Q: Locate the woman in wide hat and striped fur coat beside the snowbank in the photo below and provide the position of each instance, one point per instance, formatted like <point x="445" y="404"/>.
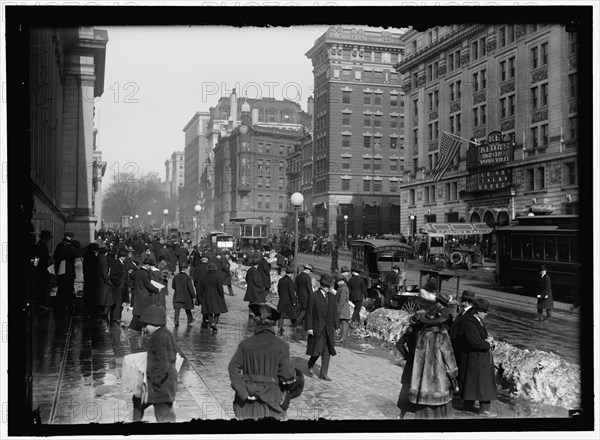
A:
<point x="429" y="376"/>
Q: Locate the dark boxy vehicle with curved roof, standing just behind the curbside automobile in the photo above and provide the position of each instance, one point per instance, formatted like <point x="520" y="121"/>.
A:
<point x="373" y="259"/>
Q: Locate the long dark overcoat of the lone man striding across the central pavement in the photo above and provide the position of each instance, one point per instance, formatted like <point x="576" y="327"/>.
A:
<point x="322" y="318"/>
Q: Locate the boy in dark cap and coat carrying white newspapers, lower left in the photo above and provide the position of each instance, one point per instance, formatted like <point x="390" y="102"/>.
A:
<point x="161" y="372"/>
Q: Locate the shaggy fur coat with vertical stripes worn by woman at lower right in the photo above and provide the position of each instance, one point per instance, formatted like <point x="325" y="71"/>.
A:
<point x="433" y="366"/>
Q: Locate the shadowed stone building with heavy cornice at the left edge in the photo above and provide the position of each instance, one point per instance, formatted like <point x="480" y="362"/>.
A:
<point x="66" y="75"/>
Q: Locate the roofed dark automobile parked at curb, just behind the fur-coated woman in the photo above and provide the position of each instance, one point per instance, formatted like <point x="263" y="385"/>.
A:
<point x="422" y="296"/>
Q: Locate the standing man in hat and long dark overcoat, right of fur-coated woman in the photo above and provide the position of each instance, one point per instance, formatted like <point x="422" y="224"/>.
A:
<point x="477" y="379"/>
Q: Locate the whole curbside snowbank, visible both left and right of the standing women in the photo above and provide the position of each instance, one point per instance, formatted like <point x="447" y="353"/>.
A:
<point x="532" y="374"/>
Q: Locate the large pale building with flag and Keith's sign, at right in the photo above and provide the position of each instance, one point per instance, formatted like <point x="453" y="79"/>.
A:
<point x="513" y="89"/>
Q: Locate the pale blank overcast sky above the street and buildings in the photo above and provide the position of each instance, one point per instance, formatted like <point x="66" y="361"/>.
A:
<point x="156" y="78"/>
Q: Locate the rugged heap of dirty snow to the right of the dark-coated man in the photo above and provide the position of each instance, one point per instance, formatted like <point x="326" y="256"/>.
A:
<point x="538" y="375"/>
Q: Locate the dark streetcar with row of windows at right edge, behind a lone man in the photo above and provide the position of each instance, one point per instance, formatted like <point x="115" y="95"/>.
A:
<point x="549" y="240"/>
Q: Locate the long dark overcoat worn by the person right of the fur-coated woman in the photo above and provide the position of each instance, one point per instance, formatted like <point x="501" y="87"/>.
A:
<point x="477" y="379"/>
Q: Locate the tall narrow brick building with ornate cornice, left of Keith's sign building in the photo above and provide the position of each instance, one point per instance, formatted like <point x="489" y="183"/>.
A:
<point x="358" y="125"/>
